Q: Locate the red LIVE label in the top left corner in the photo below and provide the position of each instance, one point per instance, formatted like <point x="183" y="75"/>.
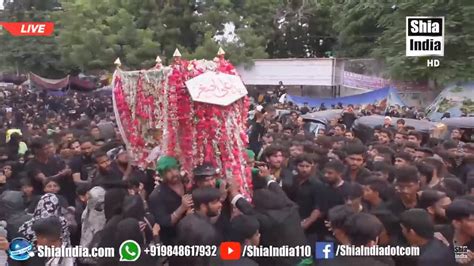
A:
<point x="29" y="28"/>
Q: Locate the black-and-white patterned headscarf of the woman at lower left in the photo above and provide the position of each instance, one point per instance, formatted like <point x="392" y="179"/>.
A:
<point x="47" y="206"/>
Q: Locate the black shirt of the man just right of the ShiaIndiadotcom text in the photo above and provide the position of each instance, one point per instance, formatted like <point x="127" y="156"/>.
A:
<point x="436" y="253"/>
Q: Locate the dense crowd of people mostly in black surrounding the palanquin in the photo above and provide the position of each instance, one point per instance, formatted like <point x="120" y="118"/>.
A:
<point x="68" y="180"/>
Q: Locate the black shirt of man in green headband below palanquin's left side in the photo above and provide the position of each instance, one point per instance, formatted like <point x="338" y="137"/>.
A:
<point x="162" y="206"/>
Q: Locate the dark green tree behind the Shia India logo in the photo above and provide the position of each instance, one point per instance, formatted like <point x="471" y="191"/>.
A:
<point x="458" y="61"/>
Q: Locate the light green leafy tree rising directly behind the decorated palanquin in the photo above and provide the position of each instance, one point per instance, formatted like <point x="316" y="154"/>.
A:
<point x="93" y="34"/>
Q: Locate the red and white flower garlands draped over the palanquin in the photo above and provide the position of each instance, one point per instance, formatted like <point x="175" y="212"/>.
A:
<point x="195" y="132"/>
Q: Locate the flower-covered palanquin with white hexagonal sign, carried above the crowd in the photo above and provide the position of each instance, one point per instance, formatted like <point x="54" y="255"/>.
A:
<point x="200" y="107"/>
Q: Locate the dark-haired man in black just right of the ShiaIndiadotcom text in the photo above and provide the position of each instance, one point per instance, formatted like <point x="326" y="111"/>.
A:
<point x="418" y="229"/>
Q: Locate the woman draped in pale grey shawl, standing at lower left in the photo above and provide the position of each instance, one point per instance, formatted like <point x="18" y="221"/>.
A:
<point x="93" y="218"/>
